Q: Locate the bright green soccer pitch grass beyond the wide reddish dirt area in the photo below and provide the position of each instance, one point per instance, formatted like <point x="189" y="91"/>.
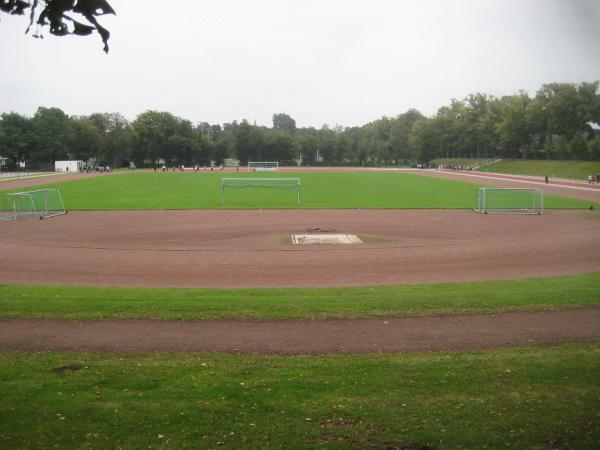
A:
<point x="319" y="190"/>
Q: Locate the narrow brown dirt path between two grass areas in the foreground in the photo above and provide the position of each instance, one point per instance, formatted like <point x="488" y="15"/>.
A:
<point x="295" y="337"/>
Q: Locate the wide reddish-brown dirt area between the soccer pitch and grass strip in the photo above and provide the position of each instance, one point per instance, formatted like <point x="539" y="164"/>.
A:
<point x="246" y="248"/>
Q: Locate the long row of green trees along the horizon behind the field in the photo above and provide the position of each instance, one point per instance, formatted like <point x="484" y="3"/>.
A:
<point x="559" y="122"/>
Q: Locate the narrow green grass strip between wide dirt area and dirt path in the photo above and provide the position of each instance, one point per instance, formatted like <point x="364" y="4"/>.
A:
<point x="274" y="303"/>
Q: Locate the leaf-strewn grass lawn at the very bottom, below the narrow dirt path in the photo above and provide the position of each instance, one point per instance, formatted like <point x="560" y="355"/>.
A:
<point x="517" y="398"/>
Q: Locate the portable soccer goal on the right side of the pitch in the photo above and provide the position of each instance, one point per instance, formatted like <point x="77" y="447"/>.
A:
<point x="510" y="201"/>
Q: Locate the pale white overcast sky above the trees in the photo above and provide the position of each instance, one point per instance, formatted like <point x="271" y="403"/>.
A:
<point x="344" y="62"/>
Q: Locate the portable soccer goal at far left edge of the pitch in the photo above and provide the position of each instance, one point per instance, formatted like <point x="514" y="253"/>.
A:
<point x="42" y="203"/>
